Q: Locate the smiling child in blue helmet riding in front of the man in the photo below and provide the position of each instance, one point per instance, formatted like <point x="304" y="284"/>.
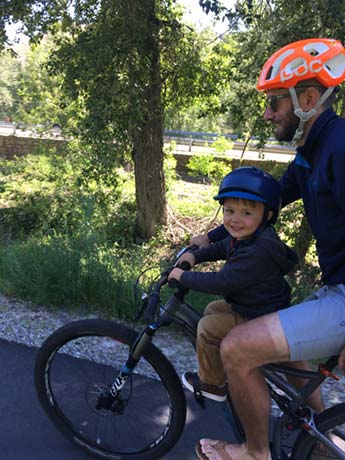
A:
<point x="251" y="281"/>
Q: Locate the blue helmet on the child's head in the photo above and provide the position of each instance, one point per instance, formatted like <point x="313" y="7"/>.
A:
<point x="252" y="183"/>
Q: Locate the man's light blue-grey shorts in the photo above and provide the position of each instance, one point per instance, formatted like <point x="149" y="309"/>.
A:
<point x="315" y="328"/>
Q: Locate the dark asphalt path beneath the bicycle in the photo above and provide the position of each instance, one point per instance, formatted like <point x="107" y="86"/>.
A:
<point x="27" y="434"/>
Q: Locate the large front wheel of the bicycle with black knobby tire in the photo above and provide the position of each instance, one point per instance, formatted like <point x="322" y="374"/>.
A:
<point x="67" y="378"/>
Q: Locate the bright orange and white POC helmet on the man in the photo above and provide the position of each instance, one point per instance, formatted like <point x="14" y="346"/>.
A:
<point x="319" y="58"/>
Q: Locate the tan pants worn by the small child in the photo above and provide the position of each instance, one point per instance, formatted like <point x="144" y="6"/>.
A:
<point x="217" y="321"/>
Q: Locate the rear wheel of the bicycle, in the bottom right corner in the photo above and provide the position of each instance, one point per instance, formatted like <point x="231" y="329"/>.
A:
<point x="307" y="447"/>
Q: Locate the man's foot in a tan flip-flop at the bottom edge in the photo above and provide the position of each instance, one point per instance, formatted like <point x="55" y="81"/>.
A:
<point x="210" y="449"/>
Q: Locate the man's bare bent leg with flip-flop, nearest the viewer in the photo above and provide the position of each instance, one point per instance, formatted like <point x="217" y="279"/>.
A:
<point x="244" y="350"/>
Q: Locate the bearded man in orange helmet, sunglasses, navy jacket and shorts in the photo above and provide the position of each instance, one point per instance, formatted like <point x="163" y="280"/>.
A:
<point x="300" y="82"/>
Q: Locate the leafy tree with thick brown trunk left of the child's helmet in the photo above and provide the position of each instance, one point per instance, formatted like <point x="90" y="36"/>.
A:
<point x="120" y="63"/>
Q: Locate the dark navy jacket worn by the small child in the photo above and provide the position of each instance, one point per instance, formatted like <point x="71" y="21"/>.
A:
<point x="252" y="279"/>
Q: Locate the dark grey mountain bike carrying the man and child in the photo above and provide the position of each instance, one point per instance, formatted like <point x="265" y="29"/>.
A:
<point x="110" y="390"/>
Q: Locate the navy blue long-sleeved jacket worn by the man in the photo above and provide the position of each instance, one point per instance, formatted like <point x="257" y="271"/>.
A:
<point x="317" y="175"/>
